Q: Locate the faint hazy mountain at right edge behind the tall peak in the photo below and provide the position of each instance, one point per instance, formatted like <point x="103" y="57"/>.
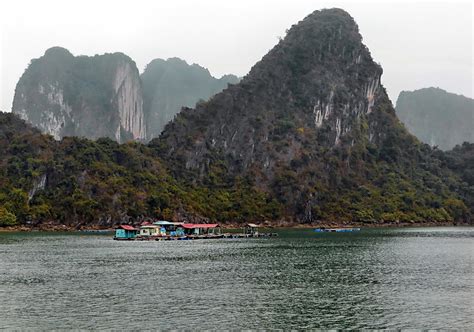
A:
<point x="437" y="117"/>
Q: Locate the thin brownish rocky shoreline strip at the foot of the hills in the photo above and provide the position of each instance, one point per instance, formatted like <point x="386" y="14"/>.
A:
<point x="232" y="226"/>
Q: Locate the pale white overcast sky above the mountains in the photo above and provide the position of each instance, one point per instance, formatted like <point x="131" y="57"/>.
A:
<point x="418" y="43"/>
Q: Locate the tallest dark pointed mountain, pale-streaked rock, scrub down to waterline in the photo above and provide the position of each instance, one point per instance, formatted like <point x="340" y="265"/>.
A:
<point x="312" y="126"/>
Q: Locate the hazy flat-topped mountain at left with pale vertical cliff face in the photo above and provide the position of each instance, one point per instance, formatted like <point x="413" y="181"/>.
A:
<point x="93" y="97"/>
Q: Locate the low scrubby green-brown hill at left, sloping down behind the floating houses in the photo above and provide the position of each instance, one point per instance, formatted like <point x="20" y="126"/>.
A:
<point x="104" y="183"/>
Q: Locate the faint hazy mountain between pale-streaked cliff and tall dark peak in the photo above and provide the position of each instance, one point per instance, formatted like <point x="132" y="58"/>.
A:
<point x="171" y="84"/>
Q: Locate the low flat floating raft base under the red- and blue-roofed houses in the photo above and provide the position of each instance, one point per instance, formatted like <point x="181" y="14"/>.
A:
<point x="197" y="237"/>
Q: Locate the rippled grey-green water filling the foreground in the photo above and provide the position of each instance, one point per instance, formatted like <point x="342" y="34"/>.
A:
<point x="384" y="278"/>
